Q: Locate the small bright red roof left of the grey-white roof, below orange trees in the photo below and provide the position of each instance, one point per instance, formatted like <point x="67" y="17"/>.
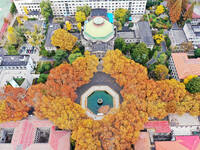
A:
<point x="159" y="126"/>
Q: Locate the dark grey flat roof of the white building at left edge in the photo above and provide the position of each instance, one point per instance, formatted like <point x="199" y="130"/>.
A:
<point x="14" y="60"/>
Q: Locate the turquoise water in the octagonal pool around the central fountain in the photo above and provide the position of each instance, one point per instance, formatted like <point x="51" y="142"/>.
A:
<point x="92" y="100"/>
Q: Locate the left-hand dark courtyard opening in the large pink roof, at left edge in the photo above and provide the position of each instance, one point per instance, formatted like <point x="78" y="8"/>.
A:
<point x="6" y="135"/>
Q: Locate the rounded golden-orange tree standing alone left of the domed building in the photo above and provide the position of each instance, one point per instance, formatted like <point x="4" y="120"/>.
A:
<point x="63" y="39"/>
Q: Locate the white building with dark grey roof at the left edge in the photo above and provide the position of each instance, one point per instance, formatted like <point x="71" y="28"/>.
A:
<point x="16" y="66"/>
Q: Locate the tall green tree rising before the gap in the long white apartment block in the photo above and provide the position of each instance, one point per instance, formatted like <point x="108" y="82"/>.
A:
<point x="46" y="10"/>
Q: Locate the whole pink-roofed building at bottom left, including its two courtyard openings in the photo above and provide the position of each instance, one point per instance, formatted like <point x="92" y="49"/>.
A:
<point x="33" y="134"/>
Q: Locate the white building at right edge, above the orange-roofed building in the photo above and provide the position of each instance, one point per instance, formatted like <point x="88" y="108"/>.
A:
<point x="192" y="32"/>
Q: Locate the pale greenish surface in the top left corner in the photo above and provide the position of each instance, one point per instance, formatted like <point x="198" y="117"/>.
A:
<point x="4" y="10"/>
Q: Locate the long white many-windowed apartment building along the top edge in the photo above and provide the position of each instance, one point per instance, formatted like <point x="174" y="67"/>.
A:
<point x="68" y="7"/>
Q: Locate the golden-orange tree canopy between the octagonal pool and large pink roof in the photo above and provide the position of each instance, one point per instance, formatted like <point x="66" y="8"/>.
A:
<point x="63" y="112"/>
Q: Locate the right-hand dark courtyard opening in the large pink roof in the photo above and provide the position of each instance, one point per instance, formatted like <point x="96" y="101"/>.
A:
<point x="42" y="135"/>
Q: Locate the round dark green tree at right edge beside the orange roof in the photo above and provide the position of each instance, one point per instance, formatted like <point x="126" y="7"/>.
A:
<point x="193" y="86"/>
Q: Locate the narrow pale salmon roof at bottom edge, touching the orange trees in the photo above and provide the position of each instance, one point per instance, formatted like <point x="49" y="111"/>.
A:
<point x="143" y="142"/>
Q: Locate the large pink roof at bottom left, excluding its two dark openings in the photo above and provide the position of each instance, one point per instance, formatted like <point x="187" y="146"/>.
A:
<point x="25" y="131"/>
